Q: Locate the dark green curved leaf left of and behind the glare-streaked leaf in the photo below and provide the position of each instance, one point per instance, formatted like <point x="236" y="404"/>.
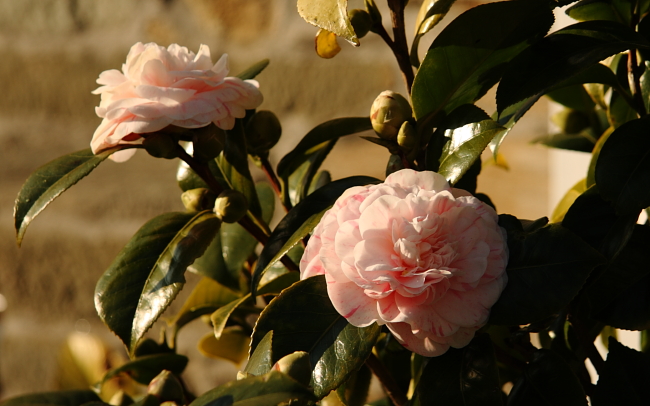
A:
<point x="118" y="291"/>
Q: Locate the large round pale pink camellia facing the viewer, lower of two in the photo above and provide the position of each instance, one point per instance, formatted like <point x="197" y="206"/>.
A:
<point x="415" y="254"/>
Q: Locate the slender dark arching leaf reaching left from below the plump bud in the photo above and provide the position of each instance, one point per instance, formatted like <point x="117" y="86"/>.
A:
<point x="320" y="134"/>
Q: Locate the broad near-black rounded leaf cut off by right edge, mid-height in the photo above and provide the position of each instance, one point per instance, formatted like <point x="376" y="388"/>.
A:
<point x="623" y="167"/>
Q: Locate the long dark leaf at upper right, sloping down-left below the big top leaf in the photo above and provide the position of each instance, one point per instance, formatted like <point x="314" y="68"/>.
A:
<point x="561" y="55"/>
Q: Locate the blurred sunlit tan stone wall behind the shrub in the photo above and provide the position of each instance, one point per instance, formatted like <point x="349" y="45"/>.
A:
<point x="52" y="52"/>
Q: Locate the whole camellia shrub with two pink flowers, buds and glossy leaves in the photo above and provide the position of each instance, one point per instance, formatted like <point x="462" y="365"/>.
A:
<point x="414" y="279"/>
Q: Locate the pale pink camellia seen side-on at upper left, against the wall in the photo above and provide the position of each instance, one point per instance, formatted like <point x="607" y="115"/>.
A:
<point x="167" y="86"/>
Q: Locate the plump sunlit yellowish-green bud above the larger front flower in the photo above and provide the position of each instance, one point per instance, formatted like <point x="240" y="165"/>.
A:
<point x="388" y="112"/>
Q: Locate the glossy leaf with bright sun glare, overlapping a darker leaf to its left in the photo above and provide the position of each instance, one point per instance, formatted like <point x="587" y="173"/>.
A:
<point x="167" y="277"/>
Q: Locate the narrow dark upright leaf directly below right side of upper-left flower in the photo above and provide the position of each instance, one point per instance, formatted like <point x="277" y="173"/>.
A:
<point x="234" y="165"/>
